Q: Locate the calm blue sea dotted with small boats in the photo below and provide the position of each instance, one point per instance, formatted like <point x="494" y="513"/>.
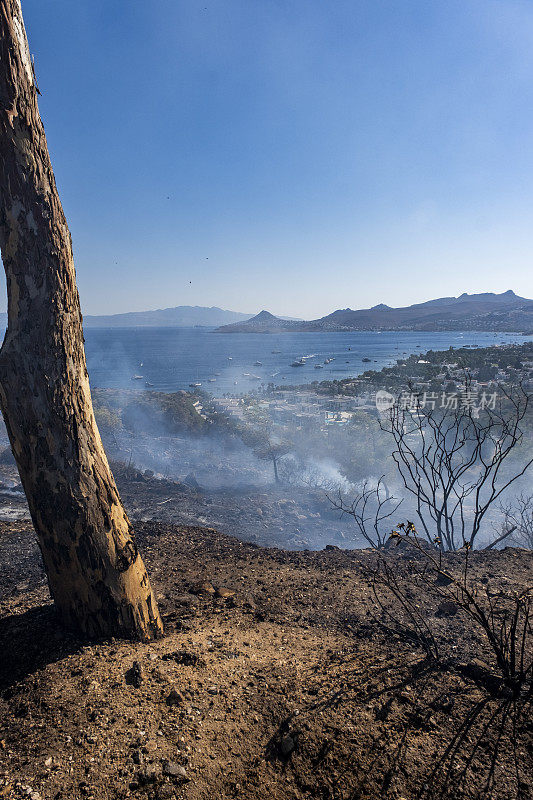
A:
<point x="170" y="359"/>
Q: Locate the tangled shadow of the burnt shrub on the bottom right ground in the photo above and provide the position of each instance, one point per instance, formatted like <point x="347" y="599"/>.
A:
<point x="482" y="740"/>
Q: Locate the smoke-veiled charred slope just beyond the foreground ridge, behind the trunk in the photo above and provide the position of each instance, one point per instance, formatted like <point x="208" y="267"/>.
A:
<point x="283" y="516"/>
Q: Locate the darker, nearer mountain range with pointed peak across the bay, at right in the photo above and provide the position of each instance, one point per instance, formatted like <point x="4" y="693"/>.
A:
<point x="483" y="312"/>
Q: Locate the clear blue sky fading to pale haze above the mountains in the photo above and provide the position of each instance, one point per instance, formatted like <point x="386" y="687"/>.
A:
<point x="294" y="155"/>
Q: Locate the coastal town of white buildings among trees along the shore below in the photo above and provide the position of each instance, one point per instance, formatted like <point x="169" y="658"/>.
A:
<point x="431" y="380"/>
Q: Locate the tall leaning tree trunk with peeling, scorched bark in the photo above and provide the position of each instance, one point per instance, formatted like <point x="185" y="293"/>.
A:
<point x="96" y="576"/>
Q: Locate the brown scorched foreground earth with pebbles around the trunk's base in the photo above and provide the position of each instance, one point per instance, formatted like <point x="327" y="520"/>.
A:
<point x="278" y="677"/>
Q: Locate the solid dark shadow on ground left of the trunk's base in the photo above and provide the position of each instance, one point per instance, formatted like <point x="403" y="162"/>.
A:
<point x="31" y="640"/>
